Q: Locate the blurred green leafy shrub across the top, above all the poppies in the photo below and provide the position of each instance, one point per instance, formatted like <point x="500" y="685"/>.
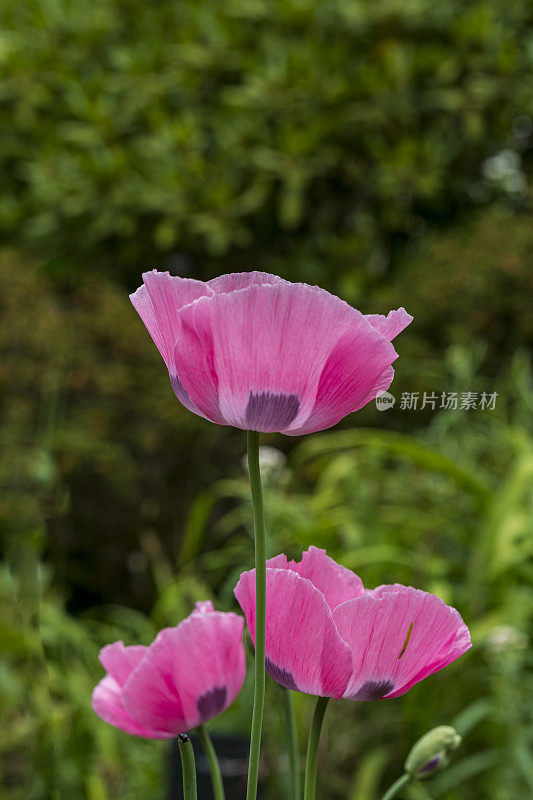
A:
<point x="325" y="131"/>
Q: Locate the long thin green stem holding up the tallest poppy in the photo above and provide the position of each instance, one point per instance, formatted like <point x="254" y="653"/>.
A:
<point x="260" y="614"/>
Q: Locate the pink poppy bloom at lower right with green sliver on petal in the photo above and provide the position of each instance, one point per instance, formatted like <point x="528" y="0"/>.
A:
<point x="326" y="635"/>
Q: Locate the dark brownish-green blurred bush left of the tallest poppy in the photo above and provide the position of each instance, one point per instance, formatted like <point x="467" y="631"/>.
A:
<point x="93" y="439"/>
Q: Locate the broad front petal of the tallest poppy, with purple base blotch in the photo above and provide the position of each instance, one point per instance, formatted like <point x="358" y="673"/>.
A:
<point x="249" y="355"/>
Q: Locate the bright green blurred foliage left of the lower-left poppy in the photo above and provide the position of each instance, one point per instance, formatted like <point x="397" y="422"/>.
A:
<point x="50" y="745"/>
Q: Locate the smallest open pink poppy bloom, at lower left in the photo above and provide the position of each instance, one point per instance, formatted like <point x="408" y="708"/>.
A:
<point x="187" y="676"/>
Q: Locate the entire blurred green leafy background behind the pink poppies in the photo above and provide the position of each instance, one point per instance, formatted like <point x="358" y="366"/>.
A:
<point x="379" y="149"/>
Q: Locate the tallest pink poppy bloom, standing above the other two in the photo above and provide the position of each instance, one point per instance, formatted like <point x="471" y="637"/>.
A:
<point x="259" y="353"/>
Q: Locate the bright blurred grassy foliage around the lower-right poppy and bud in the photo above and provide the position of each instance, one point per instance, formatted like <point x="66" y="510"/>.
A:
<point x="449" y="510"/>
